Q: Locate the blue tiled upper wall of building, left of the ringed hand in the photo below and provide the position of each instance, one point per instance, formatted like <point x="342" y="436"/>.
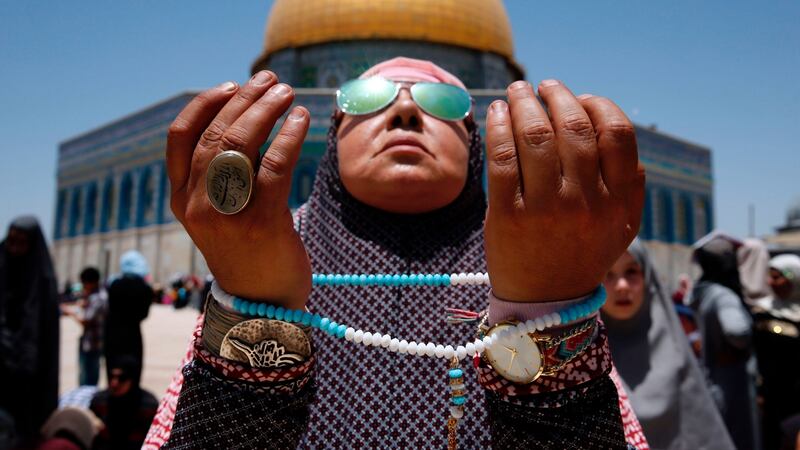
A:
<point x="114" y="178"/>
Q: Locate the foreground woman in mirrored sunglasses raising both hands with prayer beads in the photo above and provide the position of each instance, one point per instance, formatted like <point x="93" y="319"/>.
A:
<point x="399" y="191"/>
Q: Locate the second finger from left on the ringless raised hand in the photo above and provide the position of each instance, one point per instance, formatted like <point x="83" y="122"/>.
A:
<point x="539" y="162"/>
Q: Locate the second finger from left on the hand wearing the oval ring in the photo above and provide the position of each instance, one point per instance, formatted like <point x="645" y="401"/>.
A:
<point x="211" y="141"/>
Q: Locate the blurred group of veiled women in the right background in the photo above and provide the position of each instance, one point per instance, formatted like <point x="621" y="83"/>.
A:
<point x="709" y="362"/>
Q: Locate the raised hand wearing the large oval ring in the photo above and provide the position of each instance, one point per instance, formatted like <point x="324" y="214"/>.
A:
<point x="255" y="253"/>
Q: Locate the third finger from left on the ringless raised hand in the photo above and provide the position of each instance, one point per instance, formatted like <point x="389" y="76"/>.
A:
<point x="577" y="147"/>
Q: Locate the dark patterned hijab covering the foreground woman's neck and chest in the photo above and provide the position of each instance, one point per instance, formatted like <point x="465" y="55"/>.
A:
<point x="368" y="398"/>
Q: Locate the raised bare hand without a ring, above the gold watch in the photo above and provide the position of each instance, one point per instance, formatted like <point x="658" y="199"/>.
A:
<point x="566" y="191"/>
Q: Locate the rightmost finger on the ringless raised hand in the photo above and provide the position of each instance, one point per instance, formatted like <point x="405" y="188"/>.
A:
<point x="616" y="142"/>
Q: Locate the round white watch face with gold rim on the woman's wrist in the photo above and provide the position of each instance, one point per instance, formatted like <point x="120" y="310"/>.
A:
<point x="515" y="355"/>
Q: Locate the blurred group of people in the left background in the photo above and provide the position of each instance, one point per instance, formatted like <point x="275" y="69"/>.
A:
<point x="110" y="312"/>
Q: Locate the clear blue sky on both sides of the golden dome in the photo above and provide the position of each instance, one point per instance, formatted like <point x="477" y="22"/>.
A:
<point x="723" y="74"/>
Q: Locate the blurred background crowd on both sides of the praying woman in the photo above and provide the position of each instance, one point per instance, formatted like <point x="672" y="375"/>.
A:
<point x="712" y="358"/>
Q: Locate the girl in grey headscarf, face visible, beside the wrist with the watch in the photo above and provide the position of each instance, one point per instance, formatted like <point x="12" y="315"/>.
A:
<point x="667" y="389"/>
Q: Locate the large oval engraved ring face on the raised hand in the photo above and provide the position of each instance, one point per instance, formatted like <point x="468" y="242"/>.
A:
<point x="229" y="182"/>
